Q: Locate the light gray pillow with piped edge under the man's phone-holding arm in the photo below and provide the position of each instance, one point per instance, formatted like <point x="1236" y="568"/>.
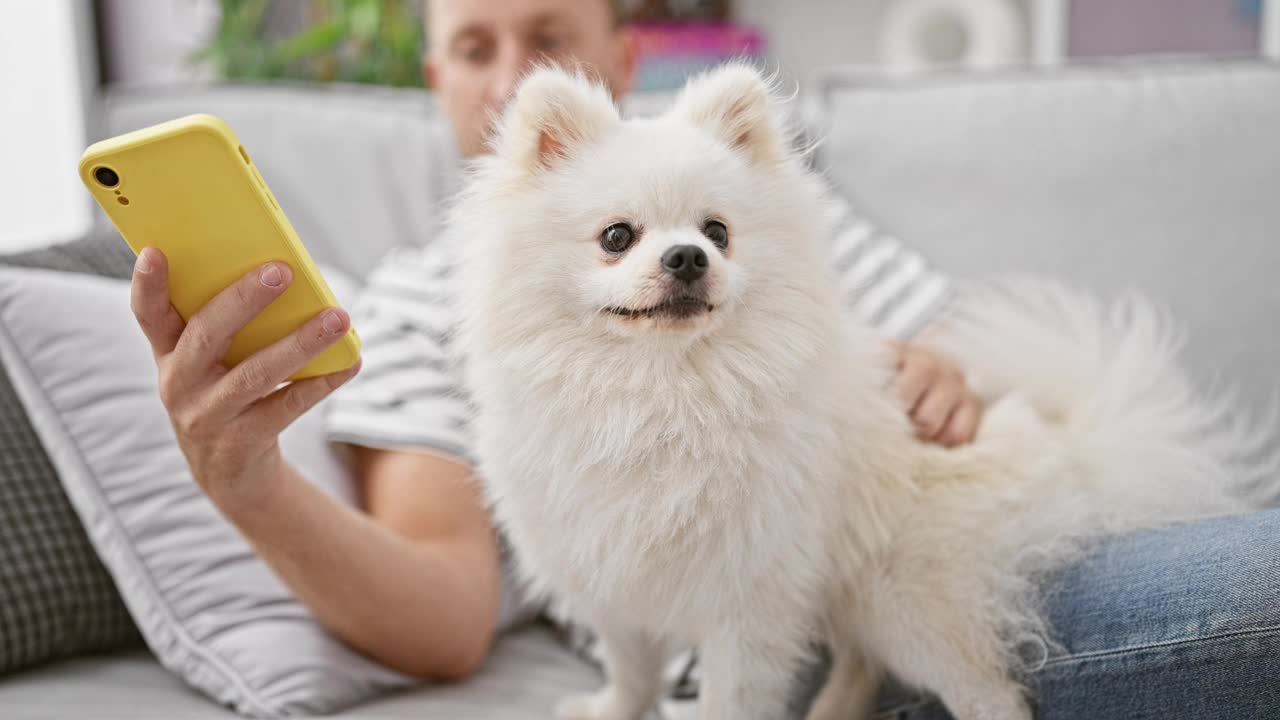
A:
<point x="208" y="607"/>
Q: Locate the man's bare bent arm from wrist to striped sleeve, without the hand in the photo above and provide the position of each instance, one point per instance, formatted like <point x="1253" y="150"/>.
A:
<point x="414" y="585"/>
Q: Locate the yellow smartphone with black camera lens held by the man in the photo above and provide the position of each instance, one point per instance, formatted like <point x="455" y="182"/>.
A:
<point x="190" y="189"/>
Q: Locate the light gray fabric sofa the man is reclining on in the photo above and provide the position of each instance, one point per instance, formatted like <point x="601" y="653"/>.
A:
<point x="1162" y="176"/>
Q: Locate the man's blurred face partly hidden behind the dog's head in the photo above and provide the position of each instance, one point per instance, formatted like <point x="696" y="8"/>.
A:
<point x="479" y="49"/>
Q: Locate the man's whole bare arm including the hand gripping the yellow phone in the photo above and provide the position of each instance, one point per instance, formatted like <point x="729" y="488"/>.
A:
<point x="415" y="584"/>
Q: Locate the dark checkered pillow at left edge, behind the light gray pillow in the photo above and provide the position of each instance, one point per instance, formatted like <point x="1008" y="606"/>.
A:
<point x="57" y="599"/>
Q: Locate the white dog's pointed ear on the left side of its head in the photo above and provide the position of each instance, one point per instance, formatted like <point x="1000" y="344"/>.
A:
<point x="552" y="115"/>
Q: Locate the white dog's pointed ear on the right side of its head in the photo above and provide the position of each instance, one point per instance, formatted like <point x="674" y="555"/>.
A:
<point x="735" y="104"/>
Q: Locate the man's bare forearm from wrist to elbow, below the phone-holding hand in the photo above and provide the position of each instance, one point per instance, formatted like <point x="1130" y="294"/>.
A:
<point x="426" y="608"/>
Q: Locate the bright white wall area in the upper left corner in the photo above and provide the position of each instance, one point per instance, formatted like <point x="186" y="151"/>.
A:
<point x="43" y="124"/>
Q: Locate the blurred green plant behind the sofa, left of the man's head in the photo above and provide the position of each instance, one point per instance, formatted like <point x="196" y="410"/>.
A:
<point x="369" y="42"/>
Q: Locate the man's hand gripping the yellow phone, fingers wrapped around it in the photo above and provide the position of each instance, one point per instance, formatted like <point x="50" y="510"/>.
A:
<point x="227" y="421"/>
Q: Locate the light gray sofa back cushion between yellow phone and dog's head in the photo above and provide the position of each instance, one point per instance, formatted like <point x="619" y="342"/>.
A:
<point x="358" y="170"/>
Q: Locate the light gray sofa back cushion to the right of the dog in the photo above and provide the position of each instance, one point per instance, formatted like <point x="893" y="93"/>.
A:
<point x="1156" y="176"/>
